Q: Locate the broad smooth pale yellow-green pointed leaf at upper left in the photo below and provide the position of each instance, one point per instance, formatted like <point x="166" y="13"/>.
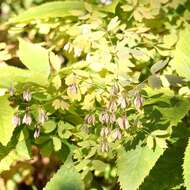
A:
<point x="34" y="57"/>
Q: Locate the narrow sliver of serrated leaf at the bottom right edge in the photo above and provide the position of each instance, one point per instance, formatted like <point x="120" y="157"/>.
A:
<point x="186" y="166"/>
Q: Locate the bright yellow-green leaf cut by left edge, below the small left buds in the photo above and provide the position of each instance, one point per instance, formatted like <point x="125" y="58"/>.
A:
<point x="6" y="114"/>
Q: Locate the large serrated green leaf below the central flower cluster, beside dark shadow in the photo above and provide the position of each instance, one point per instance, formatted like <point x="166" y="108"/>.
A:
<point x="134" y="165"/>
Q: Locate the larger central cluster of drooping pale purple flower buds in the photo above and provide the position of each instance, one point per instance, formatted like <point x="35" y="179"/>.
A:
<point x="113" y="119"/>
